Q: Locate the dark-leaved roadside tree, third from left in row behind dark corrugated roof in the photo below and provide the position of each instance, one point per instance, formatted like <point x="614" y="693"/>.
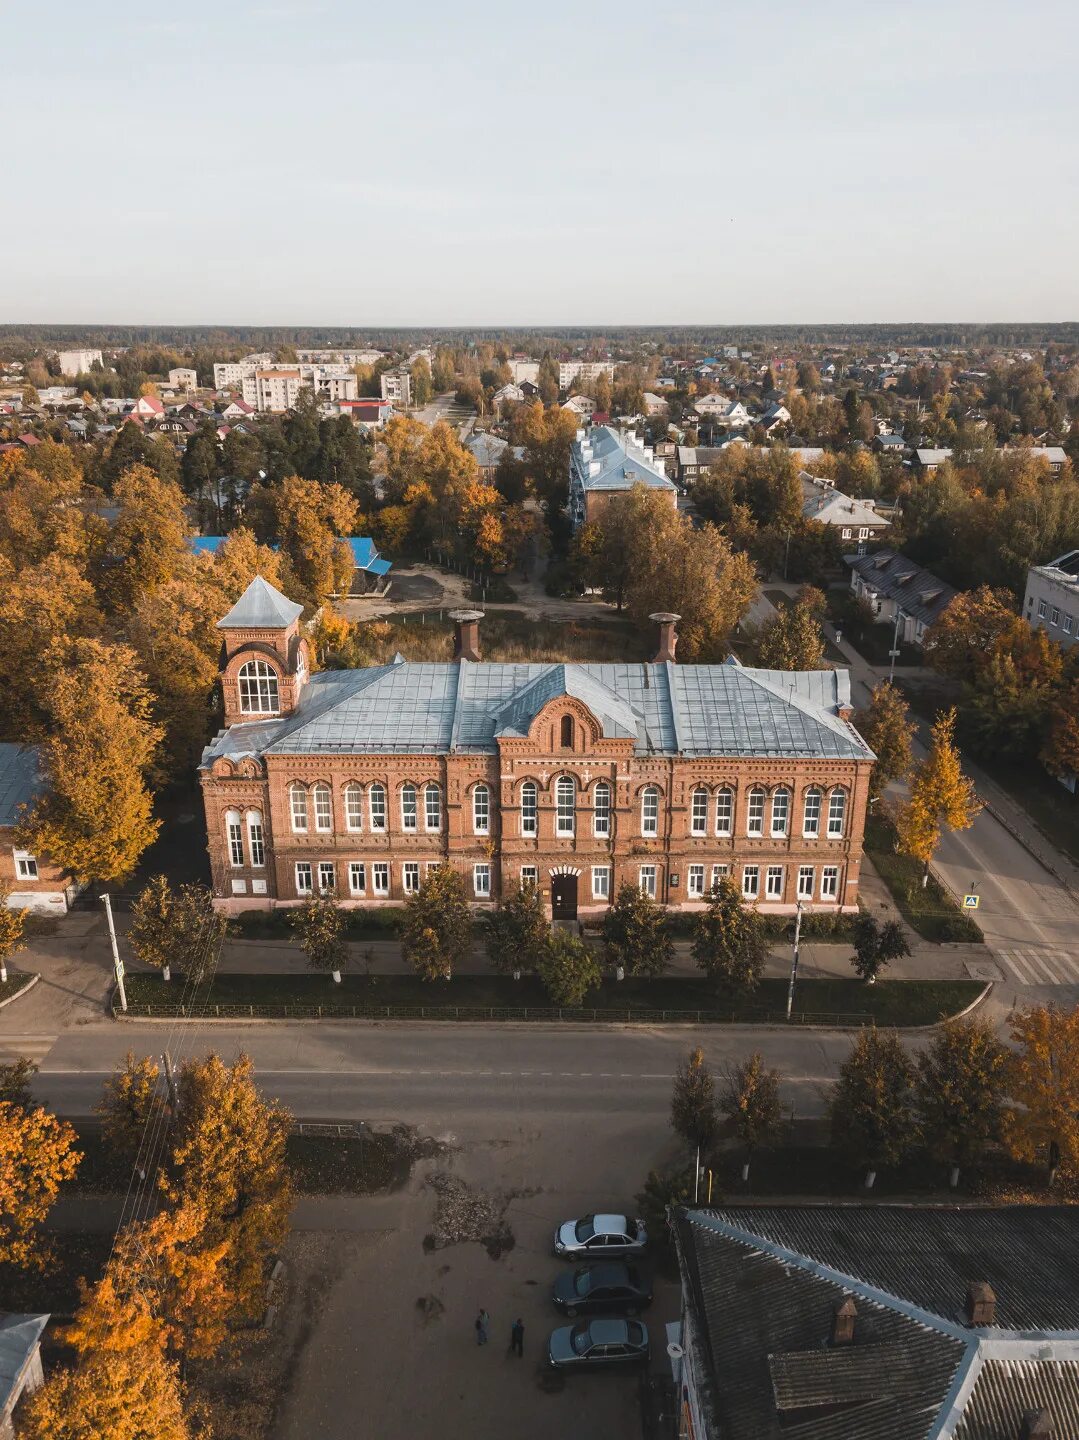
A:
<point x="874" y="1120"/>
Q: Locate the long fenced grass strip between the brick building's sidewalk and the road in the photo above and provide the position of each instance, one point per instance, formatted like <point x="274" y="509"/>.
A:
<point x="475" y="997"/>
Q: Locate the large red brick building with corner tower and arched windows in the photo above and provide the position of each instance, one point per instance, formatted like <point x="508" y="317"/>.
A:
<point x="578" y="778"/>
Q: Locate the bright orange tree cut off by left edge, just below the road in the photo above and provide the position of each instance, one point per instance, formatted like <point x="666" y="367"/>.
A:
<point x="37" y="1157"/>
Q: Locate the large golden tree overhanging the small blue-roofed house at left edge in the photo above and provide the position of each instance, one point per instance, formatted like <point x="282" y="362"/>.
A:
<point x="96" y="817"/>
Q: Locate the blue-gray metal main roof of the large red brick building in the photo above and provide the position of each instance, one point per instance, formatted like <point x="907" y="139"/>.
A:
<point x="444" y="708"/>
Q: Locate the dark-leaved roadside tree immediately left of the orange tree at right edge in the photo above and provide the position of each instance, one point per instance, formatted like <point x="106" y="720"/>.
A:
<point x="960" y="1088"/>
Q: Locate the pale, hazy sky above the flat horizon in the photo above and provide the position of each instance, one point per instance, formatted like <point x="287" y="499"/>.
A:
<point x="599" y="163"/>
